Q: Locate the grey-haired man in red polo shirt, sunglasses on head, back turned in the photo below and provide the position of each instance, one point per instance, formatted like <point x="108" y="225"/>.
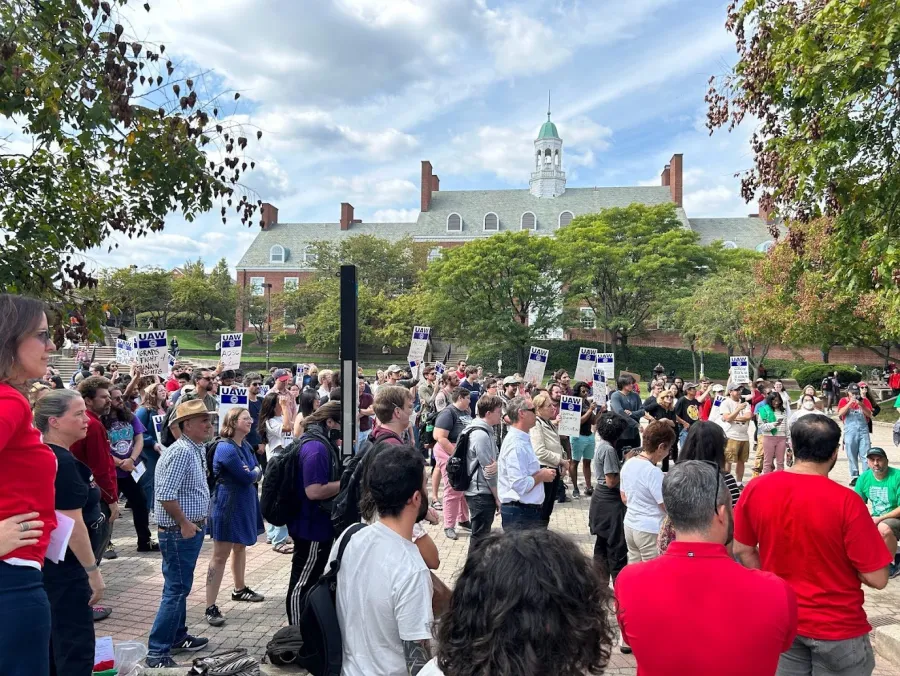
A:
<point x="683" y="589"/>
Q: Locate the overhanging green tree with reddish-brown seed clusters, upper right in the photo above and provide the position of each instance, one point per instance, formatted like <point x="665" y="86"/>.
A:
<point x="821" y="79"/>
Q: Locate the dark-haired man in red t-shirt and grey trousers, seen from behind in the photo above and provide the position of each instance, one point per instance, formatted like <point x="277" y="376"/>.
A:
<point x="818" y="536"/>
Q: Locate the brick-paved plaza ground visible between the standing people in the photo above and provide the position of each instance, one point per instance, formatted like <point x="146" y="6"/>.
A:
<point x="134" y="584"/>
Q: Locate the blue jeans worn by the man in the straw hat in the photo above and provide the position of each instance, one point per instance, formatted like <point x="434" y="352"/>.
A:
<point x="179" y="560"/>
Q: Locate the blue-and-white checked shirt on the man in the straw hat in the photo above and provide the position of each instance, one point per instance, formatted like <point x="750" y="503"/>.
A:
<point x="181" y="476"/>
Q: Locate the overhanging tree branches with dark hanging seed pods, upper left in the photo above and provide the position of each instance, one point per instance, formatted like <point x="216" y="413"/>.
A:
<point x="110" y="139"/>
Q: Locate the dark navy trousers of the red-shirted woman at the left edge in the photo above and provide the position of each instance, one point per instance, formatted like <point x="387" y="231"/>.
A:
<point x="24" y="622"/>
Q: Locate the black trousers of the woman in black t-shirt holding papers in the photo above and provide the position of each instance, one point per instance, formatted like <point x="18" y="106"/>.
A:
<point x="72" y="627"/>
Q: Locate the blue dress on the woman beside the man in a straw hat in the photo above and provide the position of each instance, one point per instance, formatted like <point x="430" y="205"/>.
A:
<point x="234" y="514"/>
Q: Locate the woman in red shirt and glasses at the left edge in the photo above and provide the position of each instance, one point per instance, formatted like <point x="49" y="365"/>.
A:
<point x="26" y="485"/>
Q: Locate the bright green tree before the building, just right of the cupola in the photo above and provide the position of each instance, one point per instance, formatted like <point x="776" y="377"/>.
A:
<point x="628" y="264"/>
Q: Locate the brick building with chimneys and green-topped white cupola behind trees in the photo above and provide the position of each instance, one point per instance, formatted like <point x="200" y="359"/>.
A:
<point x="283" y="254"/>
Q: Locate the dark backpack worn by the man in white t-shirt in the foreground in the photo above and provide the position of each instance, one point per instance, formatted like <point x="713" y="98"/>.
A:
<point x="319" y="626"/>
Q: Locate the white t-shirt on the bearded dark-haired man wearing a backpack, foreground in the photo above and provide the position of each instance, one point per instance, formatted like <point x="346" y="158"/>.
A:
<point x="383" y="598"/>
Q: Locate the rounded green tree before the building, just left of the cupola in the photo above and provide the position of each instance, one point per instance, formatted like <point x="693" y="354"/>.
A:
<point x="502" y="290"/>
